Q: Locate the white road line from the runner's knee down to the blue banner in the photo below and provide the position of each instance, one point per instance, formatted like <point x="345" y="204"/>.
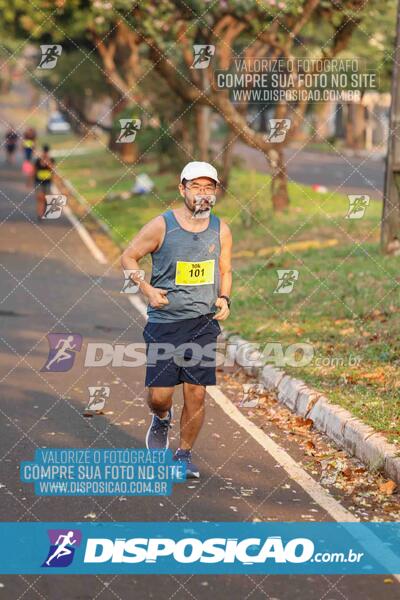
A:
<point x="294" y="470"/>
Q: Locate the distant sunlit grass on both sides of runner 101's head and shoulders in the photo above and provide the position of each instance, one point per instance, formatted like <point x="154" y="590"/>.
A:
<point x="246" y="206"/>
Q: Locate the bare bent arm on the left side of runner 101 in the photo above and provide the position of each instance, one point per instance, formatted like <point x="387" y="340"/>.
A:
<point x="146" y="241"/>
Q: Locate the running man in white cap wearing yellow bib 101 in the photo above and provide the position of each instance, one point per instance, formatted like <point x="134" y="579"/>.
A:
<point x="187" y="295"/>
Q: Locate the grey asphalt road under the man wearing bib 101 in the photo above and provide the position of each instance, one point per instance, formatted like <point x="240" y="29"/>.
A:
<point x="51" y="283"/>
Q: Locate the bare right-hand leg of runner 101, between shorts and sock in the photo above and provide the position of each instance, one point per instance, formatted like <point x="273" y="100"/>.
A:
<point x="192" y="414"/>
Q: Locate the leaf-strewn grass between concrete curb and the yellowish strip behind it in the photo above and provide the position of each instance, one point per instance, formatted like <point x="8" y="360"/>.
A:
<point x="345" y="305"/>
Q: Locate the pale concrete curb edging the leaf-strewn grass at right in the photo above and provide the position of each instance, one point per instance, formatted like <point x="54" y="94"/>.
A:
<point x="338" y="424"/>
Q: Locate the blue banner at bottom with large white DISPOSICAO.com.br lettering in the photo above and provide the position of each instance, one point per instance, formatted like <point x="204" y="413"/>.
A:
<point x="200" y="548"/>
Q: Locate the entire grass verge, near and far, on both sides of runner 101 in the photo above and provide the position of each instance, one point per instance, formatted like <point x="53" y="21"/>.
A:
<point x="345" y="302"/>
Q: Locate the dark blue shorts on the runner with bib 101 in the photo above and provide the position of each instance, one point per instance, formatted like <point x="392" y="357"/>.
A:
<point x="182" y="351"/>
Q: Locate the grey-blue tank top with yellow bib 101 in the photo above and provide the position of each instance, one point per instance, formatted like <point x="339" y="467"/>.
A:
<point x="187" y="266"/>
